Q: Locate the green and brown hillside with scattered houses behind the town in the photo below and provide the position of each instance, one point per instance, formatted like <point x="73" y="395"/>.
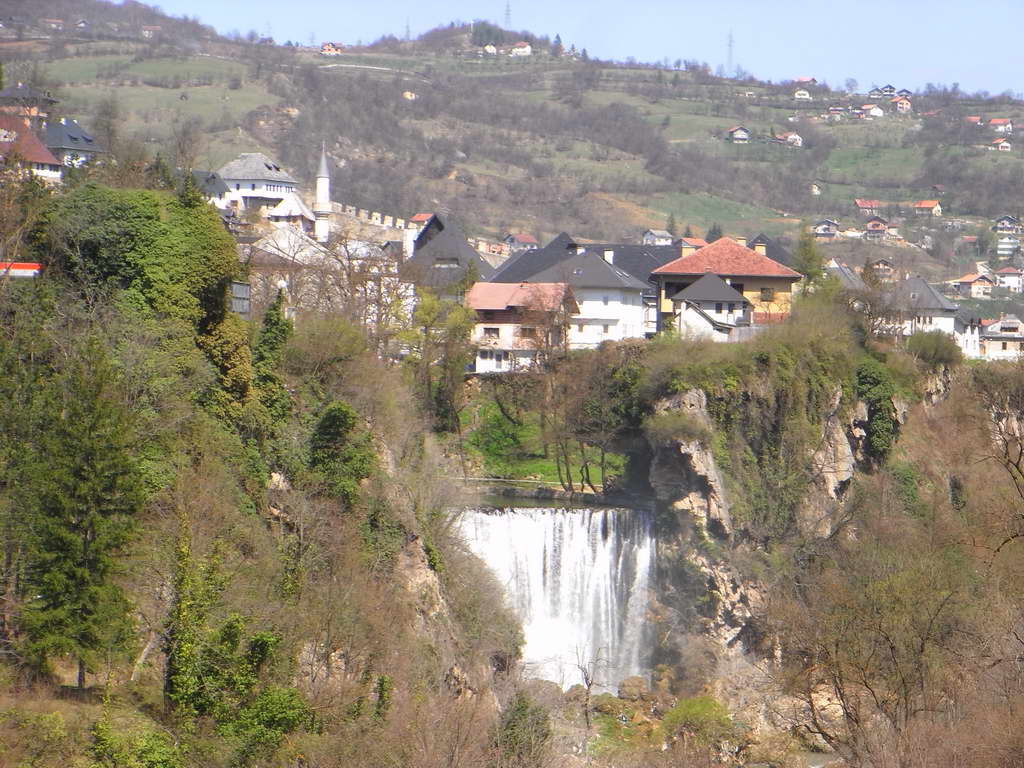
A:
<point x="543" y="144"/>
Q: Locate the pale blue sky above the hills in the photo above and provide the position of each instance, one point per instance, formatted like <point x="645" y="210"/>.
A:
<point x="908" y="44"/>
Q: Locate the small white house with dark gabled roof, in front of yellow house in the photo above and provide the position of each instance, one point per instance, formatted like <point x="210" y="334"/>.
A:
<point x="710" y="309"/>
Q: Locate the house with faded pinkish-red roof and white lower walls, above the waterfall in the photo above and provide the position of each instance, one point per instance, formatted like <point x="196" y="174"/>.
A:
<point x="519" y="323"/>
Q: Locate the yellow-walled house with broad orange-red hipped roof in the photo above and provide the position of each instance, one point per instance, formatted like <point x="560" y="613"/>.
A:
<point x="766" y="284"/>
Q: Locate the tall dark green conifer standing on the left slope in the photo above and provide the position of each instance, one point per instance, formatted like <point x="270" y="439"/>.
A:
<point x="89" y="492"/>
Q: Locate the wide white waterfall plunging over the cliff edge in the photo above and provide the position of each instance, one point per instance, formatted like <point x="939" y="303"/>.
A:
<point x="578" y="580"/>
